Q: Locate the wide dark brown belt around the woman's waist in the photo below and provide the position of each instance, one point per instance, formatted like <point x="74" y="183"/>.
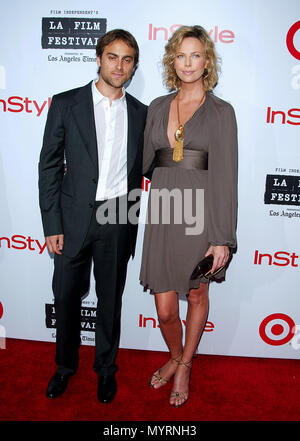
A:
<point x="192" y="159"/>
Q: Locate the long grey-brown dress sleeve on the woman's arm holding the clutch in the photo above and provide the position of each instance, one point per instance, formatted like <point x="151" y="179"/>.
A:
<point x="222" y="179"/>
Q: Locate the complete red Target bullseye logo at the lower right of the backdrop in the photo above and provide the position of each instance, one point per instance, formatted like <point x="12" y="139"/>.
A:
<point x="277" y="329"/>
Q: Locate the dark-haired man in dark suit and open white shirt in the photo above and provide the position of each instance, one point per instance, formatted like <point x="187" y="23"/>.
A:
<point x="92" y="155"/>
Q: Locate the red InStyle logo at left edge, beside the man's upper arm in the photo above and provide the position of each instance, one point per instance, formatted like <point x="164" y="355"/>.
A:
<point x="17" y="104"/>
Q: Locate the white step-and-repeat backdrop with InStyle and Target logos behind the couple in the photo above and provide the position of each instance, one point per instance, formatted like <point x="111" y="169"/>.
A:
<point x="48" y="47"/>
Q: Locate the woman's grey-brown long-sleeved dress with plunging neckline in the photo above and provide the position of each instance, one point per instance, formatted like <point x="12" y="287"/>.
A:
<point x="169" y="253"/>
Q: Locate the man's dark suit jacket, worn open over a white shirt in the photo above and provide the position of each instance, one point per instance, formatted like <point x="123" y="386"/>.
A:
<point x="67" y="199"/>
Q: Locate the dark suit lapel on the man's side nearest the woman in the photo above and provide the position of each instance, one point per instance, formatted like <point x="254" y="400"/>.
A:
<point x="132" y="132"/>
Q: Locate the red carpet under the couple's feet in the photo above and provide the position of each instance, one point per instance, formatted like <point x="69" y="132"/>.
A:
<point x="223" y="388"/>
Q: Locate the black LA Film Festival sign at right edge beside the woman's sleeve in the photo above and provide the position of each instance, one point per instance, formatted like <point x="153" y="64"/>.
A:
<point x="282" y="190"/>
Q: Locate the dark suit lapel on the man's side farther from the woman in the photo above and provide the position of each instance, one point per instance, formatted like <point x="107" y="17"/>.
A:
<point x="83" y="111"/>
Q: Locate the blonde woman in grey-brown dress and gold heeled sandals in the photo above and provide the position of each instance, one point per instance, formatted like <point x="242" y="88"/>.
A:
<point x="191" y="143"/>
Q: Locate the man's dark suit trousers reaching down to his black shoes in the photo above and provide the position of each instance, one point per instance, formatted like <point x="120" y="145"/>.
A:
<point x="108" y="247"/>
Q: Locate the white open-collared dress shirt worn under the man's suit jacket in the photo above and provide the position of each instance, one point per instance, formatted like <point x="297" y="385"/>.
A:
<point x="111" y="131"/>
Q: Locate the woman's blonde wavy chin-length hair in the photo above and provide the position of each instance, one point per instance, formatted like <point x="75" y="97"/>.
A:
<point x="210" y="77"/>
